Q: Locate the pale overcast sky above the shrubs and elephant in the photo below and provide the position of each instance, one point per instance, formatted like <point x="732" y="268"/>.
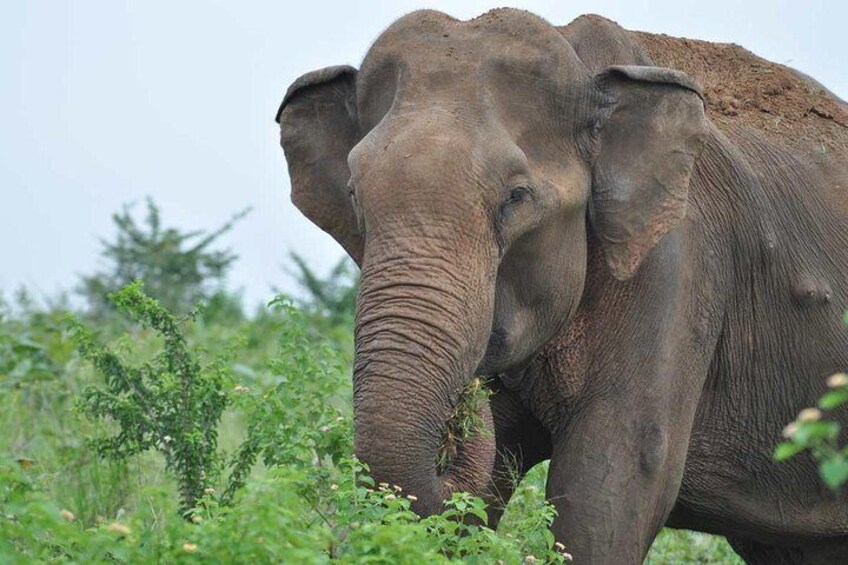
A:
<point x="104" y="102"/>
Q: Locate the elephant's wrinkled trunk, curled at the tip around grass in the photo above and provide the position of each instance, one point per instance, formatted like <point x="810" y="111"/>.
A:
<point x="419" y="337"/>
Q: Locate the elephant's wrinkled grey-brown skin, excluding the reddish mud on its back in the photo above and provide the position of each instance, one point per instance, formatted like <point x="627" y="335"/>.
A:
<point x="541" y="205"/>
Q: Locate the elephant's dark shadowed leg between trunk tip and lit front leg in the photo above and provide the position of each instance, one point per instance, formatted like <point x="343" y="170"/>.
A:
<point x="521" y="442"/>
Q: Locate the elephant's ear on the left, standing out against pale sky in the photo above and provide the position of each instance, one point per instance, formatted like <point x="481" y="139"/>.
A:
<point x="318" y="128"/>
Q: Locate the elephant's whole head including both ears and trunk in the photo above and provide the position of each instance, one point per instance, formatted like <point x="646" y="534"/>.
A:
<point x="463" y="167"/>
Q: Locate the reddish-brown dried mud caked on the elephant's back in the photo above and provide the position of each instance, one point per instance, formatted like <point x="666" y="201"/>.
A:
<point x="743" y="89"/>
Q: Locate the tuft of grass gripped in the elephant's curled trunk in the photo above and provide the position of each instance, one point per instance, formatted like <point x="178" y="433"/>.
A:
<point x="464" y="421"/>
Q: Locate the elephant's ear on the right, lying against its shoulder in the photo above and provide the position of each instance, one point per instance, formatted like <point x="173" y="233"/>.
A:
<point x="651" y="134"/>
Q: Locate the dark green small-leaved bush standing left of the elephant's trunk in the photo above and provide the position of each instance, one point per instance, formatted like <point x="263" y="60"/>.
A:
<point x="172" y="404"/>
